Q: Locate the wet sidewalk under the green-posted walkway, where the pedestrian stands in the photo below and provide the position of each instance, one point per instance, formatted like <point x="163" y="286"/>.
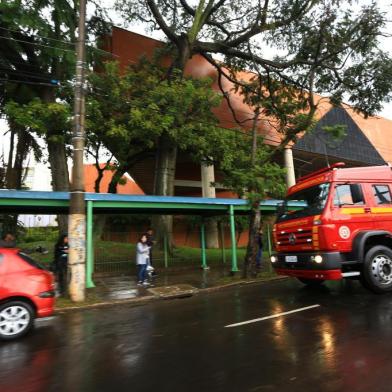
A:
<point x="168" y="284"/>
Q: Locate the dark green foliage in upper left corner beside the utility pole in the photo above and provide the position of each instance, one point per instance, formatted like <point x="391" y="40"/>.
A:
<point x="37" y="64"/>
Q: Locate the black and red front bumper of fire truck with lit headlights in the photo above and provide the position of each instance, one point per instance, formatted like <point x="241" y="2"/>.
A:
<point x="323" y="266"/>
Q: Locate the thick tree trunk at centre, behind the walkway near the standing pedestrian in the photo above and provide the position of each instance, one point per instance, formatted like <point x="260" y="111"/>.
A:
<point x="164" y="186"/>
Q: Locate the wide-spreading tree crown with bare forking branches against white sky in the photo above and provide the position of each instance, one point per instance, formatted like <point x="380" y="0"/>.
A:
<point x="328" y="47"/>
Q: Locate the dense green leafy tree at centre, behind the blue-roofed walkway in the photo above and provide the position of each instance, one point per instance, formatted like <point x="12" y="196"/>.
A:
<point x="134" y="111"/>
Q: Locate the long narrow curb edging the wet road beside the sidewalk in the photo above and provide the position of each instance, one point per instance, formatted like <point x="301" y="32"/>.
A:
<point x="149" y="298"/>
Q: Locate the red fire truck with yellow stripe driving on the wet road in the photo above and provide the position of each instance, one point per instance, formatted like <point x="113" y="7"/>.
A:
<point x="341" y="227"/>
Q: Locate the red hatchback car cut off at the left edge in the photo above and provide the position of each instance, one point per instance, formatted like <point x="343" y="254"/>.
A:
<point x="26" y="292"/>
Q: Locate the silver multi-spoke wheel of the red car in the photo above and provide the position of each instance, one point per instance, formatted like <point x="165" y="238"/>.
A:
<point x="16" y="319"/>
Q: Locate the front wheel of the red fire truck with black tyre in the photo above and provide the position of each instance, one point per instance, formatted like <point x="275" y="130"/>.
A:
<point x="377" y="269"/>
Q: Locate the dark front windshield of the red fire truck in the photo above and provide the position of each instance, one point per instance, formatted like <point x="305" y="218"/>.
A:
<point x="313" y="199"/>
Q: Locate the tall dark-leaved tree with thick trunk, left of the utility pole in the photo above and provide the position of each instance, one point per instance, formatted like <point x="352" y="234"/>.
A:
<point x="37" y="57"/>
